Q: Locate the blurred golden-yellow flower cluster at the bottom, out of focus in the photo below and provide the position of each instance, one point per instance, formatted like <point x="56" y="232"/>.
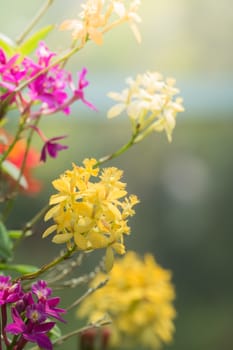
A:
<point x="138" y="298"/>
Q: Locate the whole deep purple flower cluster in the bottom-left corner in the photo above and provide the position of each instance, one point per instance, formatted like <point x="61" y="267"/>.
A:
<point x="31" y="313"/>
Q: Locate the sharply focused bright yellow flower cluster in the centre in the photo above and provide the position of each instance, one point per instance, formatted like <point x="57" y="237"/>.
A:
<point x="91" y="215"/>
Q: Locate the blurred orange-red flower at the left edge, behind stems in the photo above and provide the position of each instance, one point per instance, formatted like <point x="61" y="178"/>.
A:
<point x="11" y="166"/>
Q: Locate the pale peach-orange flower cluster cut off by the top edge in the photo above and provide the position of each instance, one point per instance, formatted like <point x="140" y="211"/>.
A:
<point x="98" y="18"/>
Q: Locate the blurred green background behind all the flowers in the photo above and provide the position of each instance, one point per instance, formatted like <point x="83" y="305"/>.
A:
<point x="186" y="189"/>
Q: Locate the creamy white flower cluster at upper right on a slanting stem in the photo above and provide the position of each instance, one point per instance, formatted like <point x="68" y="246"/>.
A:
<point x="149" y="102"/>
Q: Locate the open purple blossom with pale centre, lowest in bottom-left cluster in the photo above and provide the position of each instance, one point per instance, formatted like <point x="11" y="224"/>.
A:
<point x="32" y="330"/>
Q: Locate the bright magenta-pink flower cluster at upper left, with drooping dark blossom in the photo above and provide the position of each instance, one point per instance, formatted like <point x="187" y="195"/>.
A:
<point x="38" y="88"/>
